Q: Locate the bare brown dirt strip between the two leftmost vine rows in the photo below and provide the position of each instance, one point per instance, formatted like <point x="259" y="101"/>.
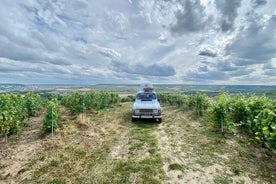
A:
<point x="21" y="149"/>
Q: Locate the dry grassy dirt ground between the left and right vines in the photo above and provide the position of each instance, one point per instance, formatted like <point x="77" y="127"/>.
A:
<point x="106" y="147"/>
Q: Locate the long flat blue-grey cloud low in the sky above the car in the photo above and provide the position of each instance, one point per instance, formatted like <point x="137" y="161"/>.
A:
<point x="142" y="69"/>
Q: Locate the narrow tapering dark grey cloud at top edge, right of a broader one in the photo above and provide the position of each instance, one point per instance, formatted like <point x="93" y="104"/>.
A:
<point x="228" y="10"/>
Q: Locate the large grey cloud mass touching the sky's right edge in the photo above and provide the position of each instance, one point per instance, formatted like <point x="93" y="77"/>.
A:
<point x="255" y="44"/>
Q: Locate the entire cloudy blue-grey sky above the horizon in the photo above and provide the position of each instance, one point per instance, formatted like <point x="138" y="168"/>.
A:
<point x="89" y="42"/>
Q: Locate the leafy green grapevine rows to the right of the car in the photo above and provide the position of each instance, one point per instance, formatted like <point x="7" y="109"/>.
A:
<point x="256" y="114"/>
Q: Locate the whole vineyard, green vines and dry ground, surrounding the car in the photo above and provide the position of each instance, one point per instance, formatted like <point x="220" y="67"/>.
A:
<point x="92" y="131"/>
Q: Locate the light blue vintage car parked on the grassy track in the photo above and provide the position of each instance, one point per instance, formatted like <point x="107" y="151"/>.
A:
<point x="146" y="105"/>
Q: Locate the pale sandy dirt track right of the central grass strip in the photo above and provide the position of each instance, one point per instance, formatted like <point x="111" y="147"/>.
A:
<point x="191" y="155"/>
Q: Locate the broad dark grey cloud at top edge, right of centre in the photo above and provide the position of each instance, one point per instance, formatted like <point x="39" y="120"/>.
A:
<point x="190" y="19"/>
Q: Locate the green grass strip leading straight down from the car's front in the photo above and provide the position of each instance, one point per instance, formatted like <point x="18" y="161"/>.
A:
<point x="144" y="164"/>
